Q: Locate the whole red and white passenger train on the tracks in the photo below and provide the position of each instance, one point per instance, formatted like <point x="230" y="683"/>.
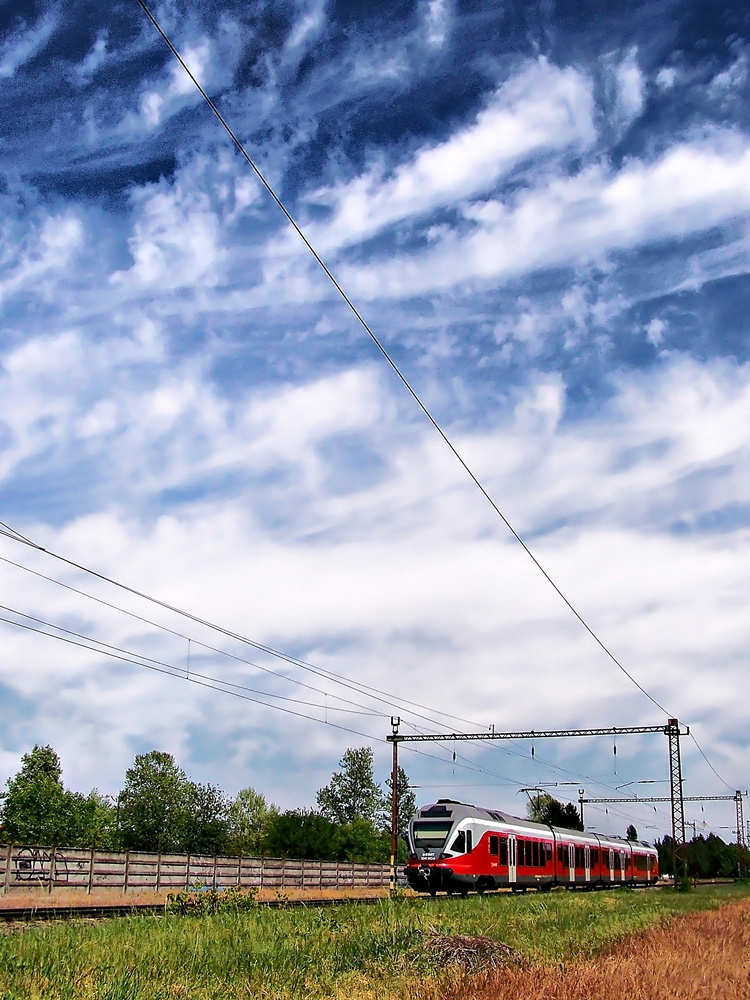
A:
<point x="459" y="848"/>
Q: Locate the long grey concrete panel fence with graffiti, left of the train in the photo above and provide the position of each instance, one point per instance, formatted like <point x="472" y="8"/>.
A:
<point x="25" y="868"/>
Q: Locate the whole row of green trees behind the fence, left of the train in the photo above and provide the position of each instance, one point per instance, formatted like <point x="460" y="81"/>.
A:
<point x="159" y="809"/>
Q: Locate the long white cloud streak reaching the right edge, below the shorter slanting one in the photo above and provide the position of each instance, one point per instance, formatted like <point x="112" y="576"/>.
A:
<point x="574" y="220"/>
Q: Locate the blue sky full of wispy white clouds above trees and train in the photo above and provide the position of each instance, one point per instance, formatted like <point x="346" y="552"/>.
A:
<point x="543" y="212"/>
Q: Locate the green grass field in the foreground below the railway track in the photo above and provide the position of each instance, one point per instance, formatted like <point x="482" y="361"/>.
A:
<point x="348" y="952"/>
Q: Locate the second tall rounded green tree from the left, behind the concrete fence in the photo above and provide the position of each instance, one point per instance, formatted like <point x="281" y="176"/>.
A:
<point x="153" y="804"/>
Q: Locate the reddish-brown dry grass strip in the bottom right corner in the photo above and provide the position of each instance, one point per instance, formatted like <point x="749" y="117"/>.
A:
<point x="701" y="956"/>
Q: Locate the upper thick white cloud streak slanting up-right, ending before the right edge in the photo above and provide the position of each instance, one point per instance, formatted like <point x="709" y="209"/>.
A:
<point x="543" y="107"/>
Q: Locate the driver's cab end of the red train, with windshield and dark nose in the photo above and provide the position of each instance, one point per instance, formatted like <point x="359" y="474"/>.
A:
<point x="438" y="848"/>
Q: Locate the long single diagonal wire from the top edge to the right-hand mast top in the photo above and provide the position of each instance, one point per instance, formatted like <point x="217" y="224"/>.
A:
<point x="397" y="371"/>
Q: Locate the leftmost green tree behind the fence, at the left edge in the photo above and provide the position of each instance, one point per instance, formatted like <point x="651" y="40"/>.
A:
<point x="36" y="808"/>
